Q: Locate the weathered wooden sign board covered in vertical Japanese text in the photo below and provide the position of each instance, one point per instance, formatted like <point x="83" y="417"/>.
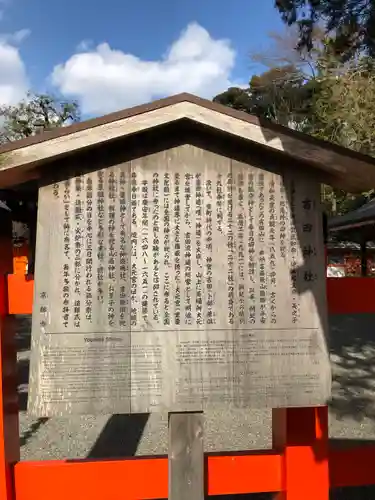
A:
<point x="179" y="281"/>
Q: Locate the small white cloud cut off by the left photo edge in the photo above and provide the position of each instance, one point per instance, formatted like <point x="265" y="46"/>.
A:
<point x="13" y="78"/>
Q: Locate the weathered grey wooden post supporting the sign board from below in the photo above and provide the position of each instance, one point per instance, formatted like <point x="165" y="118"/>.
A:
<point x="186" y="456"/>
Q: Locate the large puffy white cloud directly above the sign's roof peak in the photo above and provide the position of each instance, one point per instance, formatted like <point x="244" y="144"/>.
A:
<point x="105" y="79"/>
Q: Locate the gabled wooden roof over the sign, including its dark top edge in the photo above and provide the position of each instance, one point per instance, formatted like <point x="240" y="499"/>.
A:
<point x="347" y="169"/>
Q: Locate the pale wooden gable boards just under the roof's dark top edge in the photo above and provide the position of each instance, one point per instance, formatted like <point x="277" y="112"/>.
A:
<point x="359" y="173"/>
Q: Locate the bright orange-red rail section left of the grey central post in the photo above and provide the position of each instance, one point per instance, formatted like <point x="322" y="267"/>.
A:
<point x="101" y="480"/>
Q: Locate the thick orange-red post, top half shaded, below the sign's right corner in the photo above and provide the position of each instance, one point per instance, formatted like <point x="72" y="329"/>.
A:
<point x="301" y="436"/>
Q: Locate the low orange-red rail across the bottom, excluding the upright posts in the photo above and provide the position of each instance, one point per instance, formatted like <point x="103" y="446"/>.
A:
<point x="147" y="478"/>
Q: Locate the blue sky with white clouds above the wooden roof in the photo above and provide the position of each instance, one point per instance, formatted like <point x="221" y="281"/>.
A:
<point x="115" y="54"/>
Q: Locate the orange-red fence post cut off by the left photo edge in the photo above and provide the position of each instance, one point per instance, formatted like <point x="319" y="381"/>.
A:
<point x="9" y="434"/>
